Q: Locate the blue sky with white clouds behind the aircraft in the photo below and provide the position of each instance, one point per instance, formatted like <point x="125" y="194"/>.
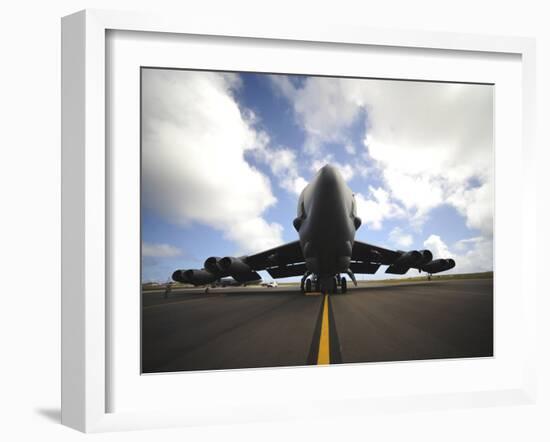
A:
<point x="225" y="156"/>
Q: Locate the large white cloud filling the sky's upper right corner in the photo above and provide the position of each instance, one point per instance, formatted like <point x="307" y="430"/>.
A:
<point x="433" y="144"/>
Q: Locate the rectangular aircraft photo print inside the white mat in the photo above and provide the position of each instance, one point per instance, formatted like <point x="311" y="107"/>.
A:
<point x="296" y="220"/>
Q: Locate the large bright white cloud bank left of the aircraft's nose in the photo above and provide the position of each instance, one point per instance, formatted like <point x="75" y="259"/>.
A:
<point x="194" y="140"/>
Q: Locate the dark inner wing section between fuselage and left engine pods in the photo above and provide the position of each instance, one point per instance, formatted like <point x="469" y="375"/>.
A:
<point x="280" y="262"/>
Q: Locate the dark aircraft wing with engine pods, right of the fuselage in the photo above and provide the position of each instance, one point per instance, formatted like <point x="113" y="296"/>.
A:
<point x="367" y="258"/>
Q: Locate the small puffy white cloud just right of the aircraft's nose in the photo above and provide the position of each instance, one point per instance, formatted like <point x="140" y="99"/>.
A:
<point x="378" y="207"/>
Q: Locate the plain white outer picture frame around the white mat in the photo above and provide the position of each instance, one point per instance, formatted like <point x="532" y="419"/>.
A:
<point x="86" y="201"/>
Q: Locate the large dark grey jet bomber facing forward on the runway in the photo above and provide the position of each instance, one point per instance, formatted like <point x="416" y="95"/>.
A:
<point x="326" y="249"/>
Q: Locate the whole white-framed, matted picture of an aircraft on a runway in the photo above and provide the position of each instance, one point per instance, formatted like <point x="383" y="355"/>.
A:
<point x="250" y="212"/>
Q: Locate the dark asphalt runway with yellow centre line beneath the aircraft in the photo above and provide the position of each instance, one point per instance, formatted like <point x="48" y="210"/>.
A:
<point x="272" y="327"/>
